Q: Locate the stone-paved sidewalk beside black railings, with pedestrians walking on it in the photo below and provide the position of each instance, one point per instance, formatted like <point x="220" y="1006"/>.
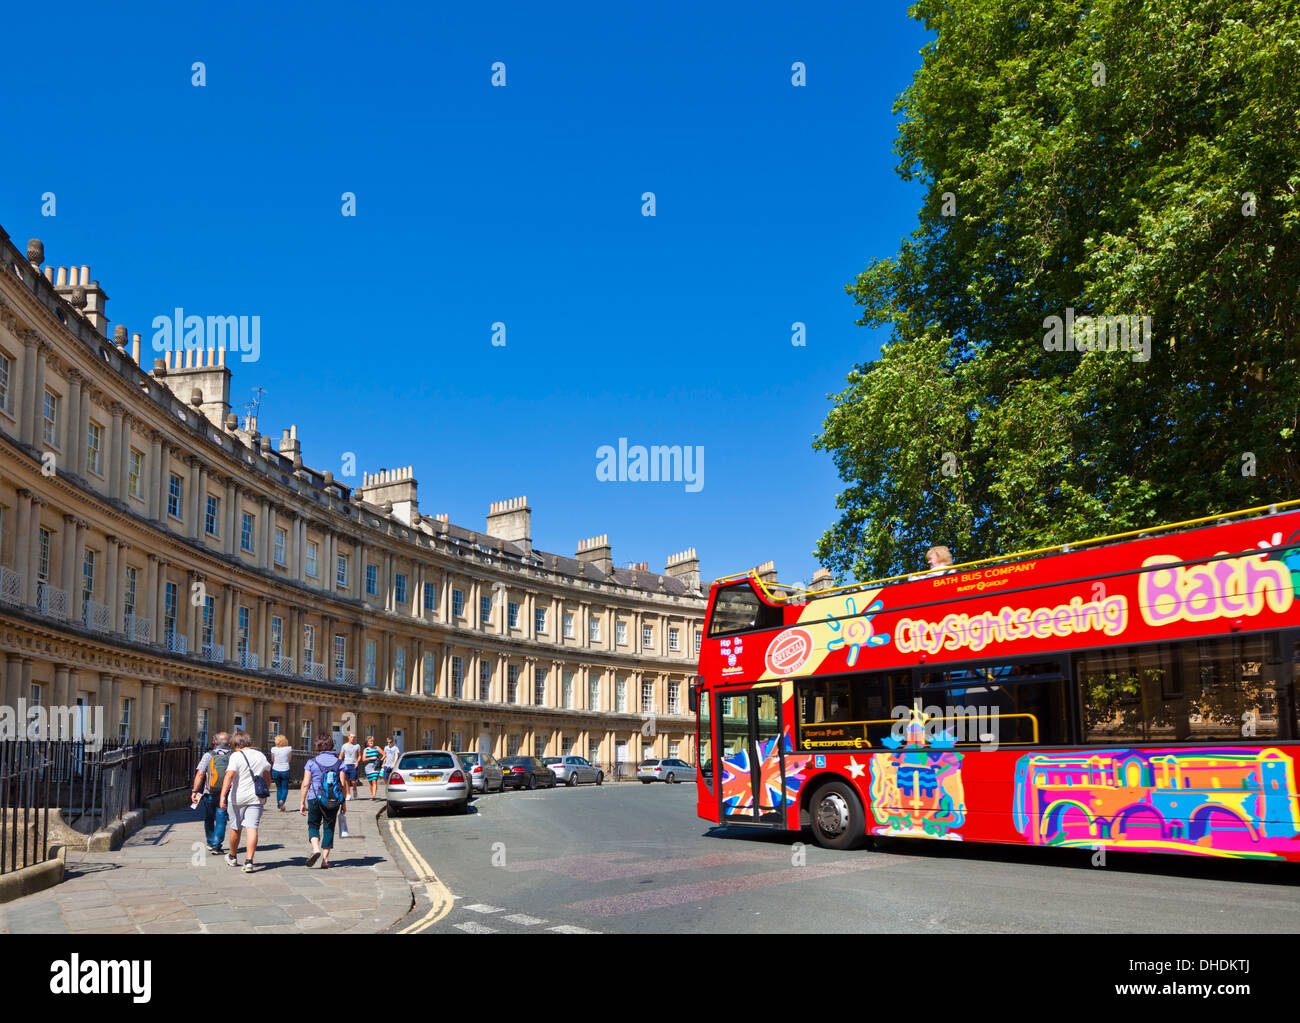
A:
<point x="159" y="883"/>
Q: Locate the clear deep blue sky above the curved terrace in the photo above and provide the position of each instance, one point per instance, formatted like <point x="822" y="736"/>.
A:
<point x="479" y="205"/>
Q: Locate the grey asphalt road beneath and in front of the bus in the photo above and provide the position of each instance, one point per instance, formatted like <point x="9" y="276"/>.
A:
<point x="636" y="860"/>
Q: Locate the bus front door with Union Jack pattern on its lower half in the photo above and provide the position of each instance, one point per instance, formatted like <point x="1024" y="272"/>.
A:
<point x="752" y="760"/>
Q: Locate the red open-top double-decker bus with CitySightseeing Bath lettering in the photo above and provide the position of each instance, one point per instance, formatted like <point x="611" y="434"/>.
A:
<point x="1128" y="693"/>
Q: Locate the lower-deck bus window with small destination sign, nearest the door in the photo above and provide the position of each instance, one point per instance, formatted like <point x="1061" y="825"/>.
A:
<point x="852" y="712"/>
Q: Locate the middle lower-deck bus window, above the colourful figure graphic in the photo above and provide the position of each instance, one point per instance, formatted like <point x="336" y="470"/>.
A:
<point x="1012" y="705"/>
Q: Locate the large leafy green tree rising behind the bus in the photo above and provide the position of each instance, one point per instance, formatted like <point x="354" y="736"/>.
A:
<point x="1125" y="158"/>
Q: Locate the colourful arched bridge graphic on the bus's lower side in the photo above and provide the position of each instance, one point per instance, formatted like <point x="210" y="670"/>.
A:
<point x="1224" y="803"/>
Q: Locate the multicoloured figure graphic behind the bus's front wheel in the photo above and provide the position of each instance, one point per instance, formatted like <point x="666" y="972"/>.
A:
<point x="917" y="788"/>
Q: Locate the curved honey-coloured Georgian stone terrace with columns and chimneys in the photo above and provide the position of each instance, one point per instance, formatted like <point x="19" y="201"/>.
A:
<point x="188" y="576"/>
